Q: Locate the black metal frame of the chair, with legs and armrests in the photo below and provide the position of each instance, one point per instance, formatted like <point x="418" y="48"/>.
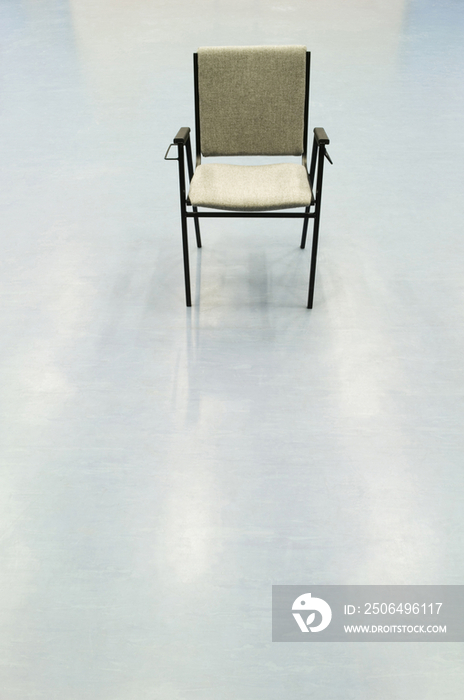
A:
<point x="318" y="155"/>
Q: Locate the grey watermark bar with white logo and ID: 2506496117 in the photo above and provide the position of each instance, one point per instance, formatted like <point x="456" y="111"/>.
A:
<point x="367" y="613"/>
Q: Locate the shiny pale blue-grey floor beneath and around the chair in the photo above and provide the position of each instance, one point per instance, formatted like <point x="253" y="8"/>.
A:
<point x="161" y="468"/>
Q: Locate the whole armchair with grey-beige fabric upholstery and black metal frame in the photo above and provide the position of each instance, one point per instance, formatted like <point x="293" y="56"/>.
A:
<point x="251" y="101"/>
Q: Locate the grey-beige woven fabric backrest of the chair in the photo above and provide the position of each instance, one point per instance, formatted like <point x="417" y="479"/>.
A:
<point x="252" y="100"/>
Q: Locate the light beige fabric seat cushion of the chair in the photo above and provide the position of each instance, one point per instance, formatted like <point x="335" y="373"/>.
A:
<point x="250" y="187"/>
